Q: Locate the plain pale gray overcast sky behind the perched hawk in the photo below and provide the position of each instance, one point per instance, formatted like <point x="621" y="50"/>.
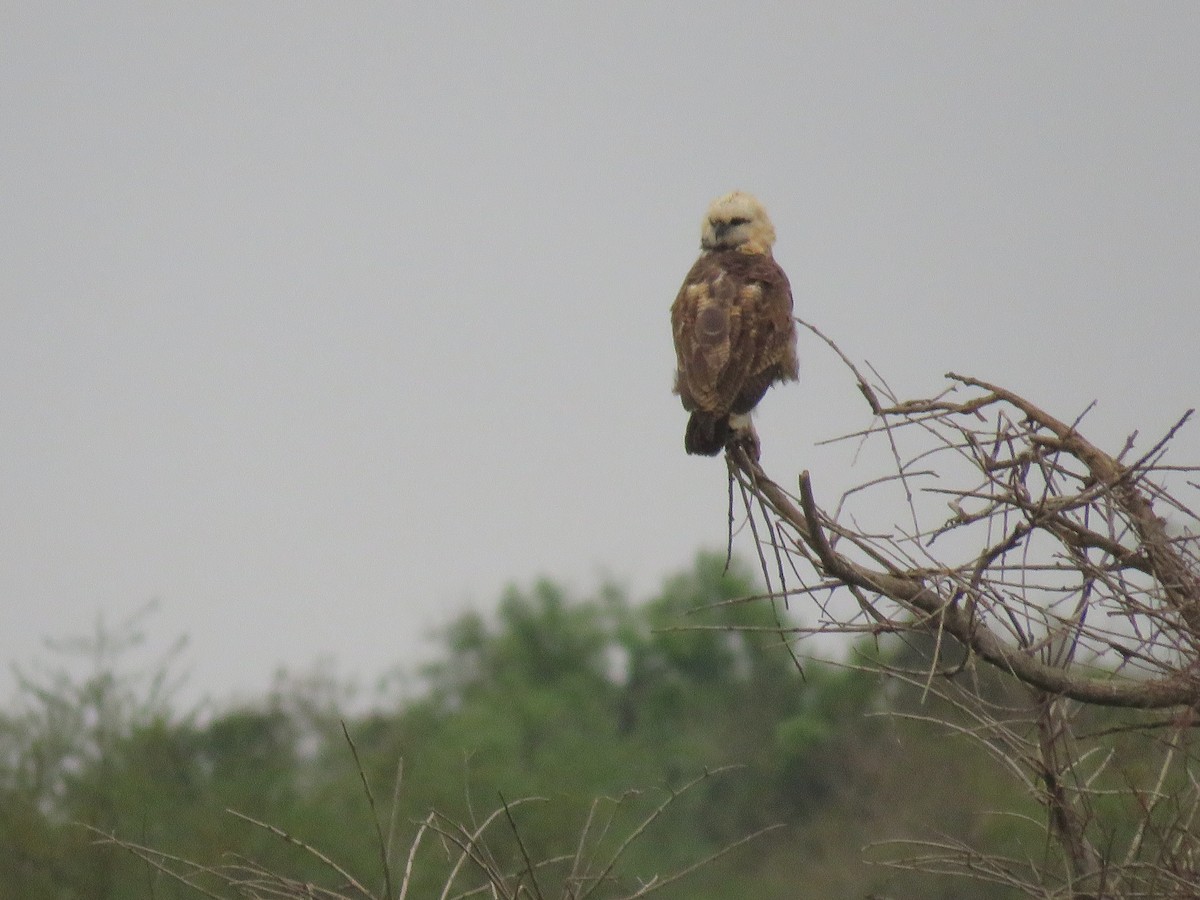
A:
<point x="323" y="322"/>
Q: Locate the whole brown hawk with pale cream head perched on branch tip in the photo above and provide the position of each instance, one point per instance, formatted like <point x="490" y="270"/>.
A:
<point x="733" y="323"/>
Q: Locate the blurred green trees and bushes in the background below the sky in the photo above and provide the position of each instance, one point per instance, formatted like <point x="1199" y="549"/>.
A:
<point x="555" y="697"/>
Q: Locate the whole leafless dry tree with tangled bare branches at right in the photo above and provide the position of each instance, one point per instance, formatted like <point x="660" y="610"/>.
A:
<point x="1059" y="609"/>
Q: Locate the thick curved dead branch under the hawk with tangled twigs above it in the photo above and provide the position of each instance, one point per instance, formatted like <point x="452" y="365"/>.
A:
<point x="1054" y="496"/>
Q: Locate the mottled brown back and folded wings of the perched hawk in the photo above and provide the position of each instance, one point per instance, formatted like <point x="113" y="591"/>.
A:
<point x="734" y="332"/>
